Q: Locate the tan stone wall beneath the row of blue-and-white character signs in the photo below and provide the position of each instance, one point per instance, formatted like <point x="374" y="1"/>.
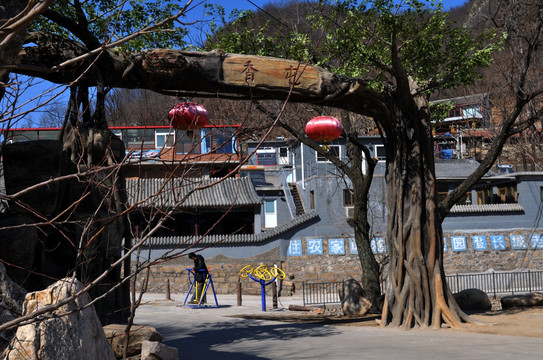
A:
<point x="328" y="268"/>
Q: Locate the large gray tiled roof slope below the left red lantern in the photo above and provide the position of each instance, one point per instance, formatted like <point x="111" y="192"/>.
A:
<point x="191" y="192"/>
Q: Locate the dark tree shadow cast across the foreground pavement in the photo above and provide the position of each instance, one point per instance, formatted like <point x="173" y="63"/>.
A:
<point x="202" y="342"/>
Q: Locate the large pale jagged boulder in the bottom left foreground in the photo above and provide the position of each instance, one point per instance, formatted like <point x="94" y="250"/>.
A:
<point x="70" y="332"/>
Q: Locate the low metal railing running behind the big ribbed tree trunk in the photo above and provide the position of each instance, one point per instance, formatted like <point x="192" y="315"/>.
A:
<point x="493" y="283"/>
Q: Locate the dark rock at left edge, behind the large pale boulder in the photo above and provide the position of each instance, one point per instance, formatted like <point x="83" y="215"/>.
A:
<point x="11" y="304"/>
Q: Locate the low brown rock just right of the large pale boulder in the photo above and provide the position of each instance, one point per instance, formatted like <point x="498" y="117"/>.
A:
<point x="115" y="334"/>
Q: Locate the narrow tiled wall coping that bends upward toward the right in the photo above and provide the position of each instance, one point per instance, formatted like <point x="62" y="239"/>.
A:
<point x="241" y="239"/>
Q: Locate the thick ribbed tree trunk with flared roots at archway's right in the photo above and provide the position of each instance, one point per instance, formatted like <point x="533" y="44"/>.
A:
<point x="417" y="293"/>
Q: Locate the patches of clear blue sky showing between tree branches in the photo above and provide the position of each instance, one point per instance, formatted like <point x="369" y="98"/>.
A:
<point x="196" y="13"/>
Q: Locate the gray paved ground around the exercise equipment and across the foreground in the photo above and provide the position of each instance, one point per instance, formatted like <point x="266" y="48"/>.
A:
<point x="215" y="333"/>
